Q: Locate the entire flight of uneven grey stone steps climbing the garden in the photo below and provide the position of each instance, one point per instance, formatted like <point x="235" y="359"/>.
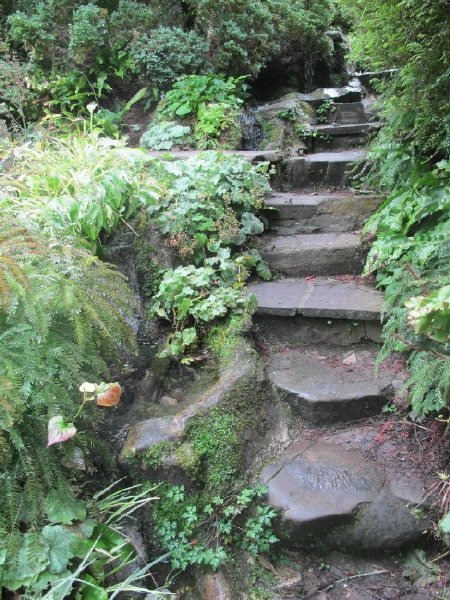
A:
<point x="320" y="325"/>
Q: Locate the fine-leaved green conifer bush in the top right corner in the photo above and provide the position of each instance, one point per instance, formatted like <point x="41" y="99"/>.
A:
<point x="415" y="41"/>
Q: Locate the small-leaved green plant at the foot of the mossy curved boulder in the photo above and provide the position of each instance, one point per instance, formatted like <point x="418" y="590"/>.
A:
<point x="199" y="532"/>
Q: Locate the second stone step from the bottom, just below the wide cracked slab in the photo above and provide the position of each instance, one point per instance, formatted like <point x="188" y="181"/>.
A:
<point x="326" y="385"/>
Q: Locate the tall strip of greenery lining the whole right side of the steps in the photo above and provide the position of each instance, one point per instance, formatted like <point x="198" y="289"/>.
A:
<point x="411" y="253"/>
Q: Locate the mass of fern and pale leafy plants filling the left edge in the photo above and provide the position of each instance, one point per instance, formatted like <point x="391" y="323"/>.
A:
<point x="64" y="318"/>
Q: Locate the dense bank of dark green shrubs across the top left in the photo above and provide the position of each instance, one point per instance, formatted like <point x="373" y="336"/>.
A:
<point x="60" y="55"/>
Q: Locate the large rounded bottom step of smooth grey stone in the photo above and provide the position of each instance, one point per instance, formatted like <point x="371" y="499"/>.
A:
<point x="328" y="492"/>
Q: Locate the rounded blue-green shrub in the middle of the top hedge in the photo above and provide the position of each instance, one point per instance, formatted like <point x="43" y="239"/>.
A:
<point x="165" y="54"/>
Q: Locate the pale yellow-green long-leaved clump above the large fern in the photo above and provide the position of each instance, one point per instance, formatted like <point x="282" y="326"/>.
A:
<point x="80" y="186"/>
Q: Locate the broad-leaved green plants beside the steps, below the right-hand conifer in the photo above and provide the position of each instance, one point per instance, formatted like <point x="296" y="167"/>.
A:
<point x="410" y="257"/>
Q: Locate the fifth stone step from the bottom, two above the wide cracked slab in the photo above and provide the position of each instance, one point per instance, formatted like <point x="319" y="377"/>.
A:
<point x="323" y="212"/>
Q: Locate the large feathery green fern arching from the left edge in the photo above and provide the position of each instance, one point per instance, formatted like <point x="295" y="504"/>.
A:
<point x="67" y="314"/>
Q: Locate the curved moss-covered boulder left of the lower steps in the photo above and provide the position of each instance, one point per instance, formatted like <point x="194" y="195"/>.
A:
<point x="215" y="441"/>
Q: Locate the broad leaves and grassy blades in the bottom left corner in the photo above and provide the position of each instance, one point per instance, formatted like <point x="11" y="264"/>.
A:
<point x="81" y="544"/>
